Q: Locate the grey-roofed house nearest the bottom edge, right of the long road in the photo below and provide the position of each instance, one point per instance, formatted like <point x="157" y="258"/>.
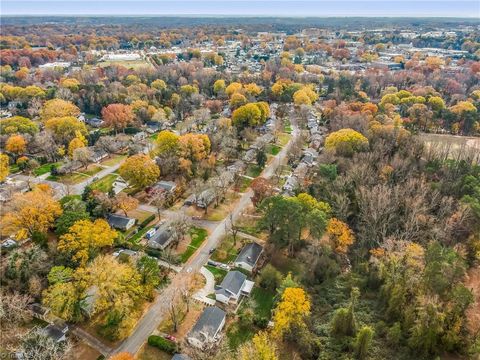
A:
<point x="207" y="329"/>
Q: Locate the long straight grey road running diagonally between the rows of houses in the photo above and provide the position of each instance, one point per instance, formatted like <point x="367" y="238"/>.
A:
<point x="159" y="309"/>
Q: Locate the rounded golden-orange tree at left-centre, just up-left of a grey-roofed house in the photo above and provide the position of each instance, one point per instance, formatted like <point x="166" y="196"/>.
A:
<point x="140" y="171"/>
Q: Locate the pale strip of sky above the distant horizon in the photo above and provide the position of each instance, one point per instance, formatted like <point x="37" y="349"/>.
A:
<point x="286" y="8"/>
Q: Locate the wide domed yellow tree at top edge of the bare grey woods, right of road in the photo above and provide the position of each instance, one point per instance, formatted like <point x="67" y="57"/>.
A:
<point x="345" y="142"/>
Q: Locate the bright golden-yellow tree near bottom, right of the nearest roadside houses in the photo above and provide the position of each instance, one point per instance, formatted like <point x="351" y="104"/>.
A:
<point x="291" y="311"/>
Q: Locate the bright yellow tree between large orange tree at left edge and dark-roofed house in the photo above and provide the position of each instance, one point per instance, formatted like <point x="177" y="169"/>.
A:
<point x="84" y="240"/>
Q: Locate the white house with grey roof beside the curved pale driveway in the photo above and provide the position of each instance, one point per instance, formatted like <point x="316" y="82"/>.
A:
<point x="233" y="286"/>
